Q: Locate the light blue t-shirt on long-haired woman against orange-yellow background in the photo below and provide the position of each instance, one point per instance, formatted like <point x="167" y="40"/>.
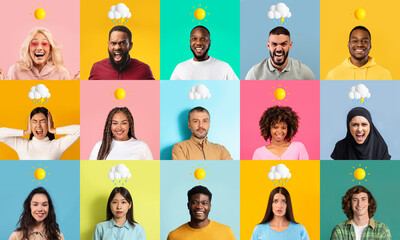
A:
<point x="293" y="232"/>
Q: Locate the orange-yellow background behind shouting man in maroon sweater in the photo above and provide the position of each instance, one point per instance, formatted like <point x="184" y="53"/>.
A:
<point x="144" y="25"/>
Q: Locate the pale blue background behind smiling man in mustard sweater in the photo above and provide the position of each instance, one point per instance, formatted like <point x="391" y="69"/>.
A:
<point x="223" y="182"/>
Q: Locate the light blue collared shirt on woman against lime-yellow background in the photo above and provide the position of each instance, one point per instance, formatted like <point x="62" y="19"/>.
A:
<point x="109" y="230"/>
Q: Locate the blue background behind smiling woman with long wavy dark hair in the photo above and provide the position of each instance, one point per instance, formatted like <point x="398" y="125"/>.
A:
<point x="62" y="185"/>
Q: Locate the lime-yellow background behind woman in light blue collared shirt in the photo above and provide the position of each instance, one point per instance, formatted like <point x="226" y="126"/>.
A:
<point x="144" y="186"/>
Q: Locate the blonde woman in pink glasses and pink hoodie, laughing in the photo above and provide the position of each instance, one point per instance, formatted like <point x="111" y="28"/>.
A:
<point x="41" y="59"/>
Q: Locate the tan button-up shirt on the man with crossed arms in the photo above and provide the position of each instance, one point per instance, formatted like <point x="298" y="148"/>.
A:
<point x="197" y="149"/>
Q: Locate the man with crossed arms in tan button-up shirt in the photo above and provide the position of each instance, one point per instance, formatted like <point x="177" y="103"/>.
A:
<point x="198" y="147"/>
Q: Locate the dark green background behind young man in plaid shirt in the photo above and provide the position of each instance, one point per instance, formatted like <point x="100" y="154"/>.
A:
<point x="383" y="183"/>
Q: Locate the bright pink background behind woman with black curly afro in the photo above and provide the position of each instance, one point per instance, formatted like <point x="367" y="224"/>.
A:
<point x="257" y="96"/>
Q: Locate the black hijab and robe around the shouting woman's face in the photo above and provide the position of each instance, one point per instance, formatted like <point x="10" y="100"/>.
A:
<point x="373" y="148"/>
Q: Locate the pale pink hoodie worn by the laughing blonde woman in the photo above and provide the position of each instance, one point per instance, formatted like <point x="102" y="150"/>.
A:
<point x="49" y="72"/>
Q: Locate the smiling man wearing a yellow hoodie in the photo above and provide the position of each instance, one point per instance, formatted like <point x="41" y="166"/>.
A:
<point x="359" y="66"/>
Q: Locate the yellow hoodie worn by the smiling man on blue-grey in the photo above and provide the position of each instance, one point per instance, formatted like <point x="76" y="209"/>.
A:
<point x="348" y="71"/>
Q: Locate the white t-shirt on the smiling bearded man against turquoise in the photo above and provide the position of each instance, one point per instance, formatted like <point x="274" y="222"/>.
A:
<point x="210" y="69"/>
